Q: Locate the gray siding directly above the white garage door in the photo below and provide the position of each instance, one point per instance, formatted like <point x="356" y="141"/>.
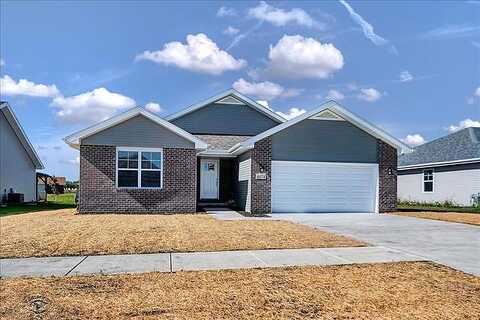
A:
<point x="324" y="140"/>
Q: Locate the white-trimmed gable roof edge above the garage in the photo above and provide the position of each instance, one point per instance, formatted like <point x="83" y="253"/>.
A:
<point x="332" y="111"/>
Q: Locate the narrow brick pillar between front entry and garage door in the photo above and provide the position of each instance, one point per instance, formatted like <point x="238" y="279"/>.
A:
<point x="261" y="192"/>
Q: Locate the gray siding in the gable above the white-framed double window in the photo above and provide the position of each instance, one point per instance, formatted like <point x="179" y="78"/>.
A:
<point x="138" y="132"/>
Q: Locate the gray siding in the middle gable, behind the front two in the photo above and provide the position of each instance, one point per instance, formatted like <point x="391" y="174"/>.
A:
<point x="231" y="119"/>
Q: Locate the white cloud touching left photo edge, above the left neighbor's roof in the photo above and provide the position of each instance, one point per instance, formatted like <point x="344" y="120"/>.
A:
<point x="23" y="87"/>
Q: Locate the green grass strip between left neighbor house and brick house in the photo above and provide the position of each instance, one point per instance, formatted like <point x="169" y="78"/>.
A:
<point x="62" y="201"/>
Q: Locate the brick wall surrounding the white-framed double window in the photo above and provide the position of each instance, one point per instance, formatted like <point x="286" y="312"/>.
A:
<point x="98" y="193"/>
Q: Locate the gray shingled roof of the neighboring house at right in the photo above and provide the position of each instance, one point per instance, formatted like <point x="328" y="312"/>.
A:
<point x="458" y="147"/>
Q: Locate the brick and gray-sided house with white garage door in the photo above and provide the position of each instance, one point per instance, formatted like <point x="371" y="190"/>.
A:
<point x="230" y="149"/>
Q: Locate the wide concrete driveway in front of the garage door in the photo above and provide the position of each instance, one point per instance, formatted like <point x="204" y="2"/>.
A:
<point x="452" y="244"/>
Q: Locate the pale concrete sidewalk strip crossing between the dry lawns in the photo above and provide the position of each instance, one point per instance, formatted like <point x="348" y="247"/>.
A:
<point x="193" y="261"/>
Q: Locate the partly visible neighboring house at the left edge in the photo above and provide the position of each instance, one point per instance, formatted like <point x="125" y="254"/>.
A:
<point x="18" y="159"/>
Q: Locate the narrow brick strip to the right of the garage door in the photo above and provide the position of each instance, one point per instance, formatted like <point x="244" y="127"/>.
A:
<point x="387" y="166"/>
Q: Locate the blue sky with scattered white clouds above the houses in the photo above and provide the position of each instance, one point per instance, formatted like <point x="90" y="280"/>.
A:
<point x="411" y="68"/>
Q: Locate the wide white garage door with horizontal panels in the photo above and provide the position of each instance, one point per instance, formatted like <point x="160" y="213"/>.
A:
<point x="323" y="187"/>
